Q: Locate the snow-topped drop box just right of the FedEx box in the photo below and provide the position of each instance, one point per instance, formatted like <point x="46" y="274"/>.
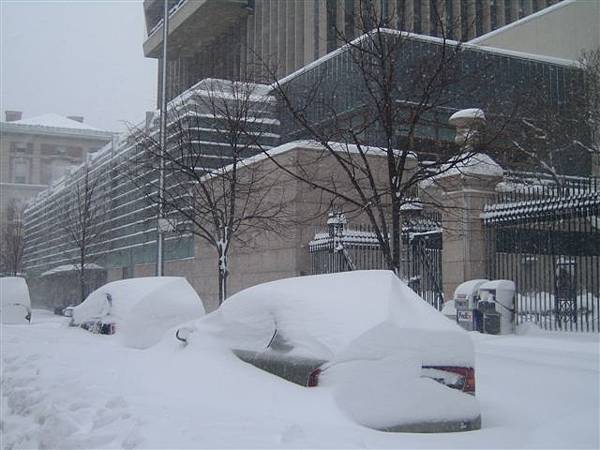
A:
<point x="499" y="295"/>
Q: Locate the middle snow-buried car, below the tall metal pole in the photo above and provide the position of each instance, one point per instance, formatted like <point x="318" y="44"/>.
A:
<point x="139" y="310"/>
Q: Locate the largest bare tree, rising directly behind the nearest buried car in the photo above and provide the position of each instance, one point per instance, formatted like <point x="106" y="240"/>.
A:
<point x="390" y="92"/>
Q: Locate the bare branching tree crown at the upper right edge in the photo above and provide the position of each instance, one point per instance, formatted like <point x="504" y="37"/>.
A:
<point x="556" y="136"/>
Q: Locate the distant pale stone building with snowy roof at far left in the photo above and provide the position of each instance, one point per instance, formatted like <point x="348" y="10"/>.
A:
<point x="37" y="151"/>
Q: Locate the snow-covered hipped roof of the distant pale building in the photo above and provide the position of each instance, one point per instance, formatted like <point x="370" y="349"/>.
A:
<point x="54" y="124"/>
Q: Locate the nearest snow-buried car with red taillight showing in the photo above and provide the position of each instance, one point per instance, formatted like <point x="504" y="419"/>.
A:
<point x="392" y="361"/>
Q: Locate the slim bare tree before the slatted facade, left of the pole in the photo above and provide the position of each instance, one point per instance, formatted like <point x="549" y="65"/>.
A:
<point x="84" y="220"/>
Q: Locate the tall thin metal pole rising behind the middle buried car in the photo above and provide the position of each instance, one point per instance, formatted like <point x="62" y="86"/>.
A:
<point x="163" y="140"/>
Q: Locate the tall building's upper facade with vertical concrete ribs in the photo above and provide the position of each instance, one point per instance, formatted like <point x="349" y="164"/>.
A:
<point x="267" y="39"/>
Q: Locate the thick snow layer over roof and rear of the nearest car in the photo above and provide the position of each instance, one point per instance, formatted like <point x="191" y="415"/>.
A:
<point x="321" y="315"/>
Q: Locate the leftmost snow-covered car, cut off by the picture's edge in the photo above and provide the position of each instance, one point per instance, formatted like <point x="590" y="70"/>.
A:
<point x="15" y="302"/>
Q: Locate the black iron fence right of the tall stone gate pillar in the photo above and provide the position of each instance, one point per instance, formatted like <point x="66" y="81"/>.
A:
<point x="546" y="238"/>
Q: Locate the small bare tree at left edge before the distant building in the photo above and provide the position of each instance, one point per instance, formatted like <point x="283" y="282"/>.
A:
<point x="11" y="241"/>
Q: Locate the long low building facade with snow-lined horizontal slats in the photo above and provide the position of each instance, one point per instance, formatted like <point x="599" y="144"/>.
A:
<point x="124" y="184"/>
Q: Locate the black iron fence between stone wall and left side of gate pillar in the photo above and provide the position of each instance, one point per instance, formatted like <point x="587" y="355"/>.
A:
<point x="340" y="248"/>
